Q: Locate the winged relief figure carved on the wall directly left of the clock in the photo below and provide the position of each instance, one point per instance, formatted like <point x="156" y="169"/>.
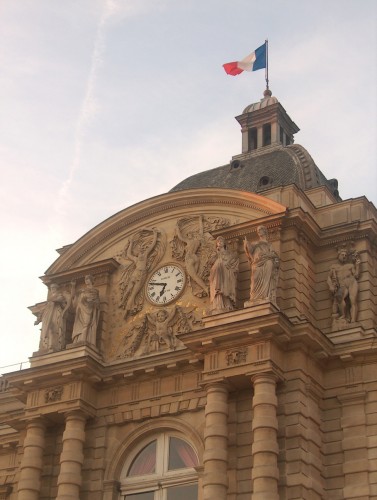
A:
<point x="138" y="251"/>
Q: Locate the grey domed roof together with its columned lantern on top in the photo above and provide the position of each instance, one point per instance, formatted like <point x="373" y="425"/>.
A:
<point x="267" y="161"/>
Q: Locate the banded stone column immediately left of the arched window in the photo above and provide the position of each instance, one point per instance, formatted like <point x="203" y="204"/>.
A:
<point x="72" y="457"/>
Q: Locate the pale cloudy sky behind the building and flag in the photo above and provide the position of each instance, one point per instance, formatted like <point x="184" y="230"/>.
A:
<point x="104" y="103"/>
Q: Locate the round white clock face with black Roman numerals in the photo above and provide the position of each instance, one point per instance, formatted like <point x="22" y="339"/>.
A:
<point x="165" y="284"/>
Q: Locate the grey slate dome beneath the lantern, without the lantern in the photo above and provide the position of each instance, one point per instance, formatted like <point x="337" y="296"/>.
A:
<point x="271" y="167"/>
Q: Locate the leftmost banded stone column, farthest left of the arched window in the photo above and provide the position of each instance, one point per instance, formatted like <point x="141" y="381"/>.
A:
<point x="29" y="485"/>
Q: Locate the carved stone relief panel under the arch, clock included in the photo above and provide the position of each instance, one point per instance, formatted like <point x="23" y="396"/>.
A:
<point x="141" y="318"/>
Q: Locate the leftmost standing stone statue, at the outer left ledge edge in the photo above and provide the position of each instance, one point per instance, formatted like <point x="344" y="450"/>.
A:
<point x="53" y="318"/>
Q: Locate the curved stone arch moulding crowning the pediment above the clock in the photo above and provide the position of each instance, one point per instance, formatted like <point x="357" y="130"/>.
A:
<point x="245" y="206"/>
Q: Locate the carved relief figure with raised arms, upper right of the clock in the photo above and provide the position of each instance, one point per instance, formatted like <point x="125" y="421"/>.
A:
<point x="192" y="241"/>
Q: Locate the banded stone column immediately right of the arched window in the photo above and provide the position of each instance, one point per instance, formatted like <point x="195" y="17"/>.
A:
<point x="215" y="458"/>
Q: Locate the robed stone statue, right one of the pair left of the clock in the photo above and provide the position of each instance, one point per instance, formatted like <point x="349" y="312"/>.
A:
<point x="87" y="309"/>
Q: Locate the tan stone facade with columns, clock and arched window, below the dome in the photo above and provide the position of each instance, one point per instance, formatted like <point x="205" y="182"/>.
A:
<point x="267" y="399"/>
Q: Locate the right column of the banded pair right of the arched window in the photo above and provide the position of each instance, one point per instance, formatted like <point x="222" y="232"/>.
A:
<point x="265" y="447"/>
